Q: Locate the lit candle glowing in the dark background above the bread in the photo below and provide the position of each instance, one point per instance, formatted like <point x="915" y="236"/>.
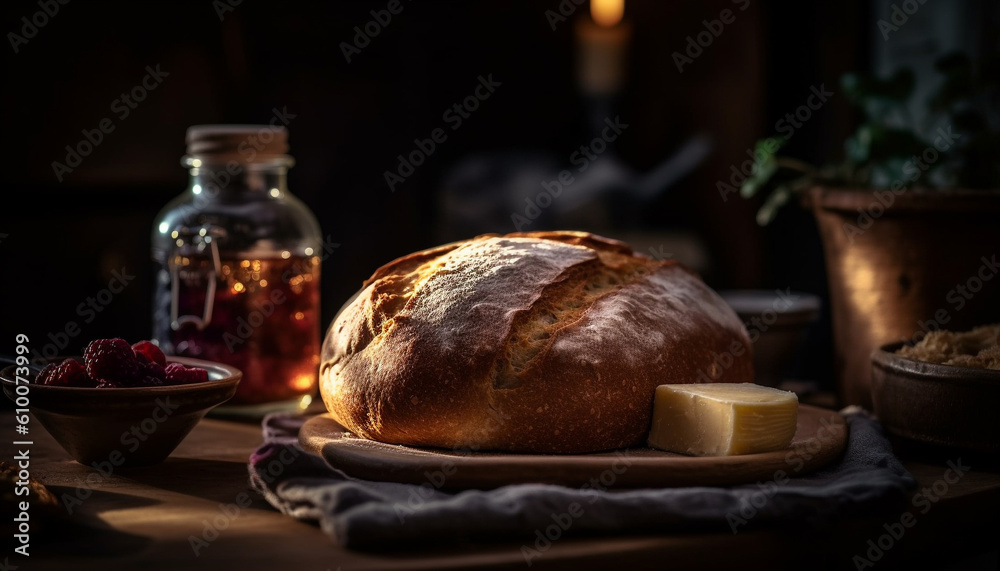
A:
<point x="602" y="44"/>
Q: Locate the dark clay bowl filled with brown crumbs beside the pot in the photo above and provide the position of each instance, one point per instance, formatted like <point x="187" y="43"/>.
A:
<point x="937" y="405"/>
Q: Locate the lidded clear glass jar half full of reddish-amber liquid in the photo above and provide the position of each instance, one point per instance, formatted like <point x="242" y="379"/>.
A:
<point x="238" y="268"/>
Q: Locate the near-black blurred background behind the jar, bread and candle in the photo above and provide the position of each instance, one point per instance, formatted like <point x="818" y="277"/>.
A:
<point x="63" y="239"/>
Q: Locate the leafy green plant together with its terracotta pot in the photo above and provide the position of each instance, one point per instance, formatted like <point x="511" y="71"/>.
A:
<point x="909" y="219"/>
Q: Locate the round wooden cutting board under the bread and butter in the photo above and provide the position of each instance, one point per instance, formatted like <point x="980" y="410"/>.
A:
<point x="819" y="440"/>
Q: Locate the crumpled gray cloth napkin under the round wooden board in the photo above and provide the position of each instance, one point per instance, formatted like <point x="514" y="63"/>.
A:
<point x="364" y="514"/>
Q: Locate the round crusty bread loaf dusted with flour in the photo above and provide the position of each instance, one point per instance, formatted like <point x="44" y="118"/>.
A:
<point x="541" y="342"/>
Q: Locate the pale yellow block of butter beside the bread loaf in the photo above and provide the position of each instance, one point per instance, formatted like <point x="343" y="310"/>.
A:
<point x="722" y="419"/>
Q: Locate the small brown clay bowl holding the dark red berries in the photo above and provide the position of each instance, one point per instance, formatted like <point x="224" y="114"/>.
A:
<point x="136" y="426"/>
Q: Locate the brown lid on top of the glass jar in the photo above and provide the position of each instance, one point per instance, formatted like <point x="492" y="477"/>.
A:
<point x="245" y="143"/>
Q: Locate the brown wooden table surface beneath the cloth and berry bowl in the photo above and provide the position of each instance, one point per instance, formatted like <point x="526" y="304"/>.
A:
<point x="142" y="518"/>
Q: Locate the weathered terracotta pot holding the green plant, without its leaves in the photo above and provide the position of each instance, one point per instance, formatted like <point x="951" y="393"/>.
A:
<point x="901" y="265"/>
